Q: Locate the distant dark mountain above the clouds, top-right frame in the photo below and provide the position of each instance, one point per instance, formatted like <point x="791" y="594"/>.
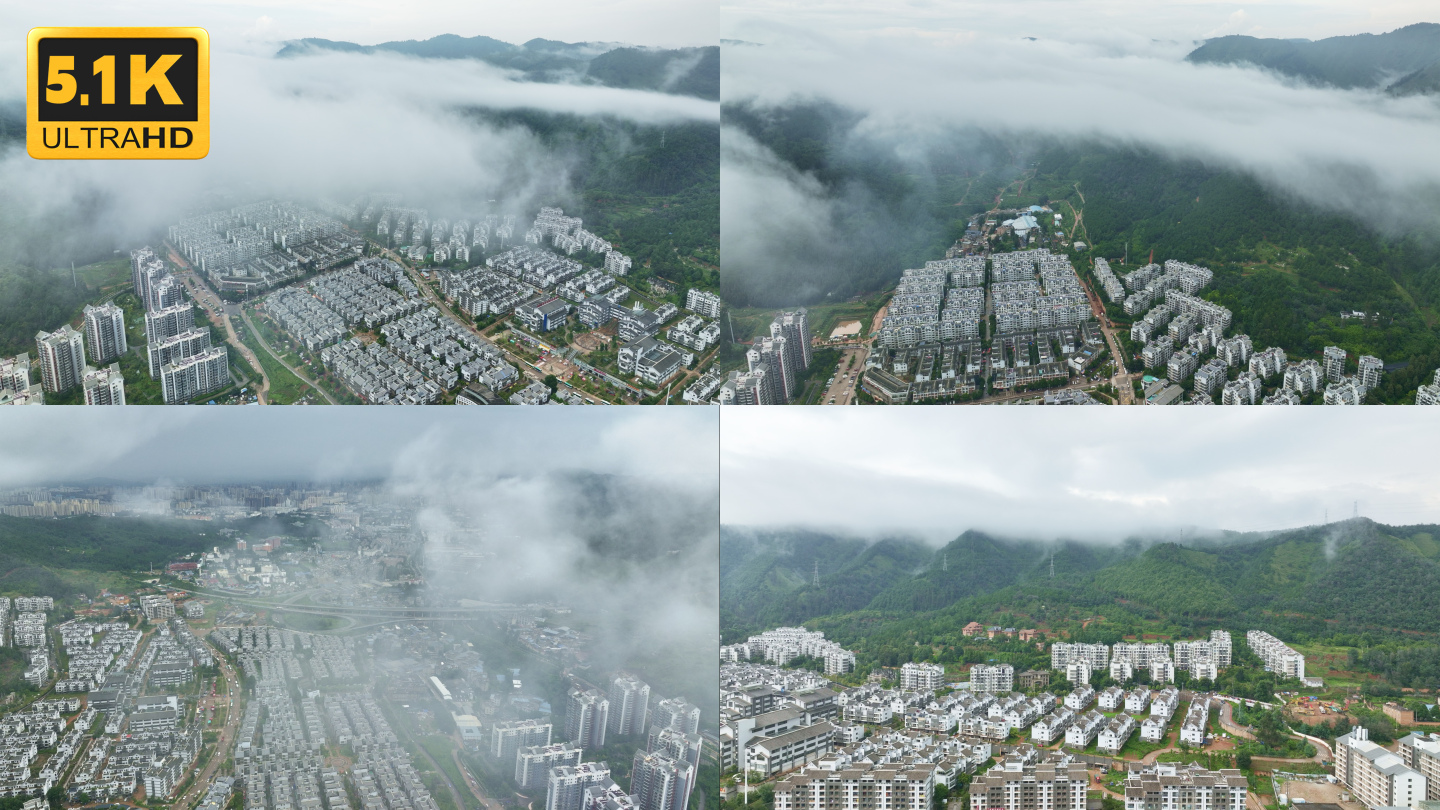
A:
<point x="1362" y="61"/>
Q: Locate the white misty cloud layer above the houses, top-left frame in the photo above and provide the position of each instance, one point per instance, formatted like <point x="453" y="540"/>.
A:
<point x="336" y="125"/>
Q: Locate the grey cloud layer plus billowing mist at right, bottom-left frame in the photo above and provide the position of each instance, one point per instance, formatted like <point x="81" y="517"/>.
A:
<point x="611" y="512"/>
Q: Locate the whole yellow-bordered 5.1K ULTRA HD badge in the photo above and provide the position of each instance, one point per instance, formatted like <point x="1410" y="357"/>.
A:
<point x="119" y="93"/>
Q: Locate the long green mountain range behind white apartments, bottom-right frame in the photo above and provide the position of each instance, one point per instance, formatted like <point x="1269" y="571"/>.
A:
<point x="1359" y="577"/>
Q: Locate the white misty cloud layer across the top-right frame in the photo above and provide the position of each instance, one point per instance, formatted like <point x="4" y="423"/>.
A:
<point x="1351" y="152"/>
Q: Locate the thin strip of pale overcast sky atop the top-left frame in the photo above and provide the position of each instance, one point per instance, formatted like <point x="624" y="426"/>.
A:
<point x="261" y="24"/>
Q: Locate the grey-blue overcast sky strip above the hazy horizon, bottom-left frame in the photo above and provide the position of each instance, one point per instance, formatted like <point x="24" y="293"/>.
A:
<point x="405" y="445"/>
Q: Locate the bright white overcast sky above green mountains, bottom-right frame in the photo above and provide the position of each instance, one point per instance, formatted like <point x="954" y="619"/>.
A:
<point x="1082" y="473"/>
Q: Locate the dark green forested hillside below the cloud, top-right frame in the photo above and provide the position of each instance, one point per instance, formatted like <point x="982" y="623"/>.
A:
<point x="1292" y="275"/>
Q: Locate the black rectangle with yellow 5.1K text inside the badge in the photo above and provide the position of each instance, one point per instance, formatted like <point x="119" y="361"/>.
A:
<point x="119" y="80"/>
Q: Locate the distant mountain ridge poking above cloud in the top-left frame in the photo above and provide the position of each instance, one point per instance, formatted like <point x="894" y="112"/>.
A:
<point x="685" y="71"/>
